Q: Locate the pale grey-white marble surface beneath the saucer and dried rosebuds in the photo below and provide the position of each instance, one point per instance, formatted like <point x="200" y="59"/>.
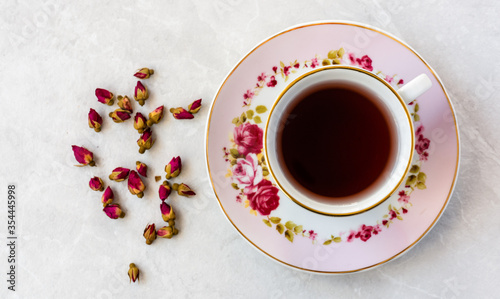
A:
<point x="54" y="54"/>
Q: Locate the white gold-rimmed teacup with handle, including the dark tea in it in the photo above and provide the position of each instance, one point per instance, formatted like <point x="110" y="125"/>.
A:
<point x="339" y="140"/>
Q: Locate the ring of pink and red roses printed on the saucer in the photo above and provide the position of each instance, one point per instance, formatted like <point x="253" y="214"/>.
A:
<point x="262" y="195"/>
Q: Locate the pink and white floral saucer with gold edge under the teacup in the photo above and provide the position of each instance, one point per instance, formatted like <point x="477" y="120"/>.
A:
<point x="263" y="214"/>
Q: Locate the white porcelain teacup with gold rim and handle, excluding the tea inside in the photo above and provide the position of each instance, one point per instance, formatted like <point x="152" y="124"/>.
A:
<point x="394" y="104"/>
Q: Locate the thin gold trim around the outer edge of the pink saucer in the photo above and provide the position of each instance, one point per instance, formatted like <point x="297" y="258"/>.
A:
<point x="454" y="120"/>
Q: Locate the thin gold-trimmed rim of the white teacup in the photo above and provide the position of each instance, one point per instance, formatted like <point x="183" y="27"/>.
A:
<point x="412" y="148"/>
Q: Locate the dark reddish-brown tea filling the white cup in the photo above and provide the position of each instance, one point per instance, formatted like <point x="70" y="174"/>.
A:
<point x="335" y="142"/>
